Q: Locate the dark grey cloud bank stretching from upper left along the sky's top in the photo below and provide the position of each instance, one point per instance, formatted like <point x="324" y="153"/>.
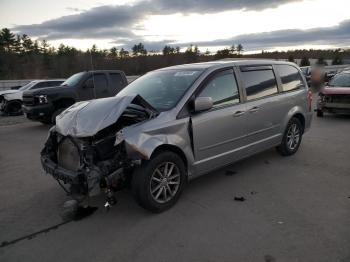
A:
<point x="113" y="22"/>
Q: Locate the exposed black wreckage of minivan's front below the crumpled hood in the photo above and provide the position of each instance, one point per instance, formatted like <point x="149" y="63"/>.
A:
<point x="82" y="167"/>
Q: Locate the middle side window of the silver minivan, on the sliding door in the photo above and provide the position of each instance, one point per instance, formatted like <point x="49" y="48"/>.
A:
<point x="259" y="83"/>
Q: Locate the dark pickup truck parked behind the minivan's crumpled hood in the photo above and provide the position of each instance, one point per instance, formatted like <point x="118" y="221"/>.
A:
<point x="45" y="104"/>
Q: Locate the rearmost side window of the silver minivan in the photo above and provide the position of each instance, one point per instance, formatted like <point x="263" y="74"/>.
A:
<point x="290" y="77"/>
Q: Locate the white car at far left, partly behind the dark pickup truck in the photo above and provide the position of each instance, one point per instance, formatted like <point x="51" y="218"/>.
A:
<point x="11" y="100"/>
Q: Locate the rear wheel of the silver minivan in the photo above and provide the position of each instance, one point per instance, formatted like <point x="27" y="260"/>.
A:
<point x="291" y="138"/>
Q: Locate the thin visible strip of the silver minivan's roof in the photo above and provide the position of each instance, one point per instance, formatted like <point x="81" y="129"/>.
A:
<point x="226" y="62"/>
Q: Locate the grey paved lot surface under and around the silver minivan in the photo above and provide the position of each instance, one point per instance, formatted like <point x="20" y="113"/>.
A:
<point x="296" y="208"/>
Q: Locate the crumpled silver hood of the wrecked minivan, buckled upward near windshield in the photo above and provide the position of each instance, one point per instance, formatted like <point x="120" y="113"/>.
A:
<point x="85" y="119"/>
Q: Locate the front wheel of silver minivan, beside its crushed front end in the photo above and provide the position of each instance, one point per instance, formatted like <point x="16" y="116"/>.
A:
<point x="157" y="184"/>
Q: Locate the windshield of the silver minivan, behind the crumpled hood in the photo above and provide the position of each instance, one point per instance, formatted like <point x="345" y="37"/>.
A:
<point x="162" y="89"/>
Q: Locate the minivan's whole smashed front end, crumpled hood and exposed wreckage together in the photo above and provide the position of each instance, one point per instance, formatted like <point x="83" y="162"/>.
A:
<point x="85" y="152"/>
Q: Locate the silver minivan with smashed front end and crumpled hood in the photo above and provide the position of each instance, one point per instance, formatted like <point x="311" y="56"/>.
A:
<point x="174" y="124"/>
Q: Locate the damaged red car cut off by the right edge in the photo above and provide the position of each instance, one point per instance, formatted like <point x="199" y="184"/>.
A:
<point x="335" y="97"/>
